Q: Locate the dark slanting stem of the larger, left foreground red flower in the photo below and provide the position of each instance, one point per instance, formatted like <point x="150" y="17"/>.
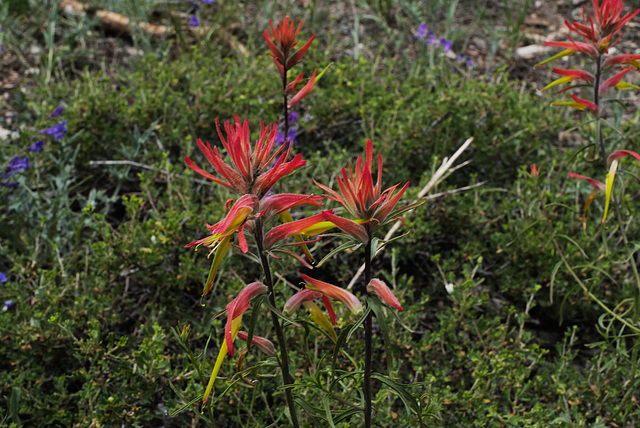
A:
<point x="284" y="357"/>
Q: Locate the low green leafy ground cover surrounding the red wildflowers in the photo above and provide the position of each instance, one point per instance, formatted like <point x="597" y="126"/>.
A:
<point x="99" y="276"/>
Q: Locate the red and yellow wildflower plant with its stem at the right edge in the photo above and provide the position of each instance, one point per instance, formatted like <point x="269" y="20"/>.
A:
<point x="594" y="37"/>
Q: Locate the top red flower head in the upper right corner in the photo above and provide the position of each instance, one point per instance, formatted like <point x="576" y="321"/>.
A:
<point x="600" y="32"/>
